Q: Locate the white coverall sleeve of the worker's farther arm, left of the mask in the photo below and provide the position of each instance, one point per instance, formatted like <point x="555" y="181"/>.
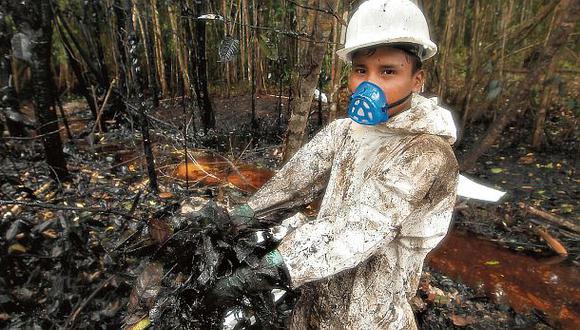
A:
<point x="303" y="177"/>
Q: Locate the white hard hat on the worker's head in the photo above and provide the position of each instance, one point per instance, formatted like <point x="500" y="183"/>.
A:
<point x="380" y="22"/>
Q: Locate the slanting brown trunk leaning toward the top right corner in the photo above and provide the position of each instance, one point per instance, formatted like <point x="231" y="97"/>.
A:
<point x="566" y="16"/>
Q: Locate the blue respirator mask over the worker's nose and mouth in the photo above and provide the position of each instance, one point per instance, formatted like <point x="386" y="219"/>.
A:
<point x="369" y="106"/>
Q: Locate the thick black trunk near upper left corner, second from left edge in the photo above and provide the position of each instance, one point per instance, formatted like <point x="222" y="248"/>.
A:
<point x="34" y="21"/>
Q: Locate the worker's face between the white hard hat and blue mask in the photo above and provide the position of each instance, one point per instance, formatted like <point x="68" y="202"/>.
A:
<point x="389" y="68"/>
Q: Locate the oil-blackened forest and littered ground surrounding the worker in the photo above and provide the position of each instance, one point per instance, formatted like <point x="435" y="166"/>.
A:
<point x="115" y="110"/>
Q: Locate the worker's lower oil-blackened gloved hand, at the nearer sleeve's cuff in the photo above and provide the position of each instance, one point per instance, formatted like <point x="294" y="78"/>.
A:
<point x="269" y="273"/>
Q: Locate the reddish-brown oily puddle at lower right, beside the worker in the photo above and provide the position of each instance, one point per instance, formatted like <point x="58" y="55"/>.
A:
<point x="522" y="281"/>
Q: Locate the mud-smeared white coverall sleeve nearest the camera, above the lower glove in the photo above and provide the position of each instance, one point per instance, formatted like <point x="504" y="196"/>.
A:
<point x="326" y="246"/>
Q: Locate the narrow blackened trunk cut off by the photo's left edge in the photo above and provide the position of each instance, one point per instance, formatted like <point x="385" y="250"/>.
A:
<point x="9" y="105"/>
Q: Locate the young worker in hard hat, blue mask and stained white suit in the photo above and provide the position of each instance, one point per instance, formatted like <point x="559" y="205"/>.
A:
<point x="388" y="175"/>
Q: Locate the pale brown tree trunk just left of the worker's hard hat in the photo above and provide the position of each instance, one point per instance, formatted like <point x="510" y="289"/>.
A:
<point x="311" y="62"/>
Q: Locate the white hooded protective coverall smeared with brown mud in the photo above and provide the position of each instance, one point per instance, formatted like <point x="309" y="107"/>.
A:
<point x="390" y="192"/>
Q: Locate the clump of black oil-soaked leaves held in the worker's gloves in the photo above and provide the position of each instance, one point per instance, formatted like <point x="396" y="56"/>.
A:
<point x="191" y="253"/>
